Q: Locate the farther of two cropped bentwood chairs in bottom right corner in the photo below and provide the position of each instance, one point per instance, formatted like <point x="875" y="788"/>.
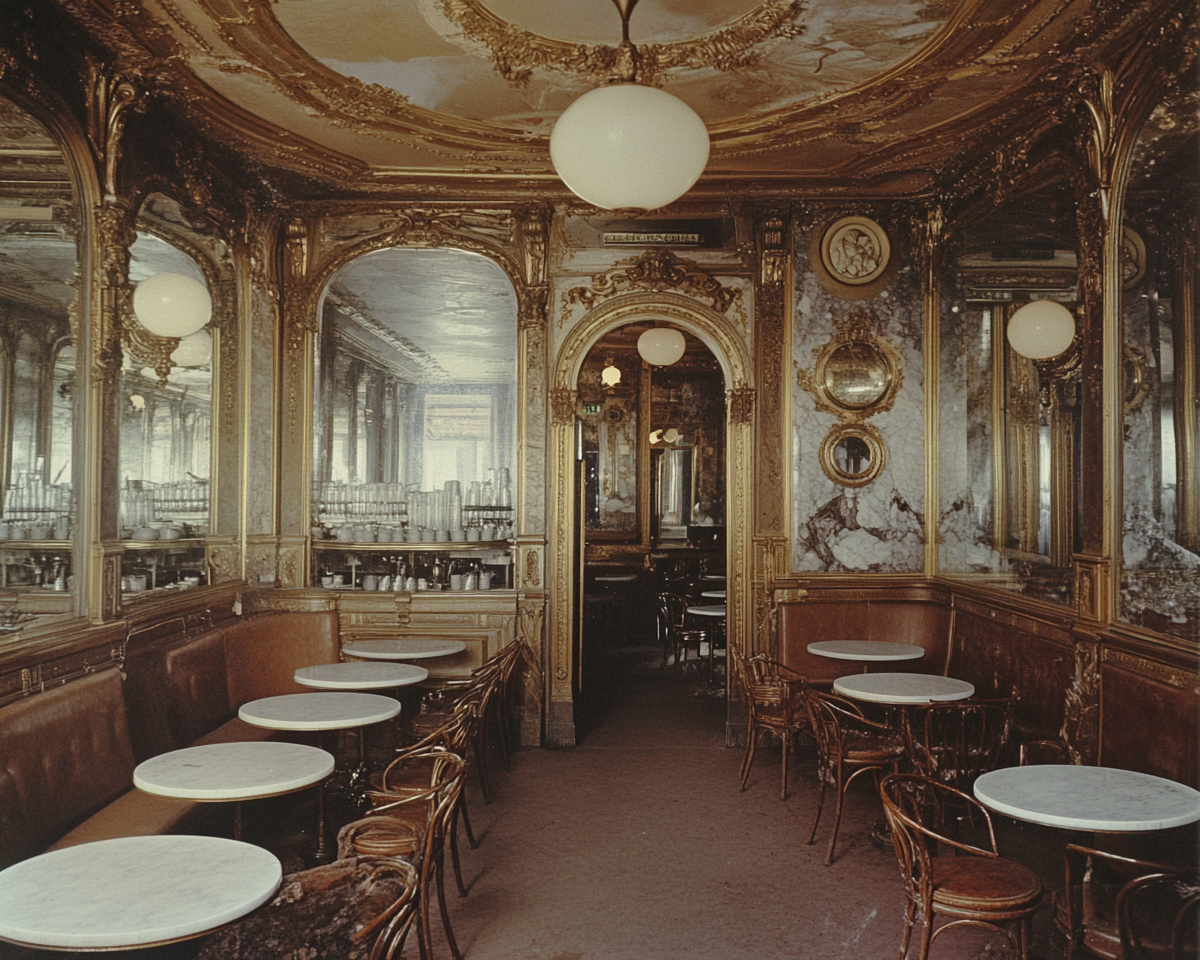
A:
<point x="1087" y="909"/>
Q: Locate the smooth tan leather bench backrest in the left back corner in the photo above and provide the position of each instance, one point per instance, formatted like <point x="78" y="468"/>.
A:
<point x="263" y="653"/>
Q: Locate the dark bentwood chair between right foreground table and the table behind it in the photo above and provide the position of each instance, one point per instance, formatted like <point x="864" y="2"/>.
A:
<point x="956" y="742"/>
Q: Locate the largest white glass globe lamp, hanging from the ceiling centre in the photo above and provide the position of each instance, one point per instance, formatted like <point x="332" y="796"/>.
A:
<point x="626" y="146"/>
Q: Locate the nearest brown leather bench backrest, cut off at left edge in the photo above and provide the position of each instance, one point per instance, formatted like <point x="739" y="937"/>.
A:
<point x="64" y="754"/>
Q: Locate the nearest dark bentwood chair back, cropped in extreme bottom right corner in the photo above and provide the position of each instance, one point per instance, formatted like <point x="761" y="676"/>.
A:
<point x="1159" y="917"/>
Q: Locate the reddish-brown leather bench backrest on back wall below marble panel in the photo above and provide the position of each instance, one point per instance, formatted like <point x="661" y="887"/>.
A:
<point x="921" y="623"/>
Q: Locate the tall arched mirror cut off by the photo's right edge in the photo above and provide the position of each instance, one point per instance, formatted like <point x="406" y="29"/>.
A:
<point x="1161" y="547"/>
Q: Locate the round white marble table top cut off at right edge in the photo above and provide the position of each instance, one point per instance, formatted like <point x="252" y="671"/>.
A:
<point x="1106" y="800"/>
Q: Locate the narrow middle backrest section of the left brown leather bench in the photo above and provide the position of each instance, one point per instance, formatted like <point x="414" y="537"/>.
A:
<point x="197" y="692"/>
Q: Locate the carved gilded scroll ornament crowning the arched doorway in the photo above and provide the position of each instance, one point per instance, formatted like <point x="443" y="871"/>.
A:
<point x="658" y="271"/>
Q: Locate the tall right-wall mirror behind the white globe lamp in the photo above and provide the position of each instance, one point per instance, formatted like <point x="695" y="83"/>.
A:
<point x="1010" y="436"/>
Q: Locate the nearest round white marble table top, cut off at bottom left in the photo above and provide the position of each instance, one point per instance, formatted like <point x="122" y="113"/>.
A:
<point x="134" y="892"/>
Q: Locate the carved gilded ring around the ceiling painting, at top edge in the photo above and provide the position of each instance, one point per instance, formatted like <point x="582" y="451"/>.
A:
<point x="517" y="53"/>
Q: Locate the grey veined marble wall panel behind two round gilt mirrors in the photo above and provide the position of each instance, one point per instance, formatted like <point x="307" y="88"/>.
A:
<point x="879" y="527"/>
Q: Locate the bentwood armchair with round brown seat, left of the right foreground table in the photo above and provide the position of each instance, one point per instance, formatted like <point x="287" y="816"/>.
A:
<point x="947" y="878"/>
